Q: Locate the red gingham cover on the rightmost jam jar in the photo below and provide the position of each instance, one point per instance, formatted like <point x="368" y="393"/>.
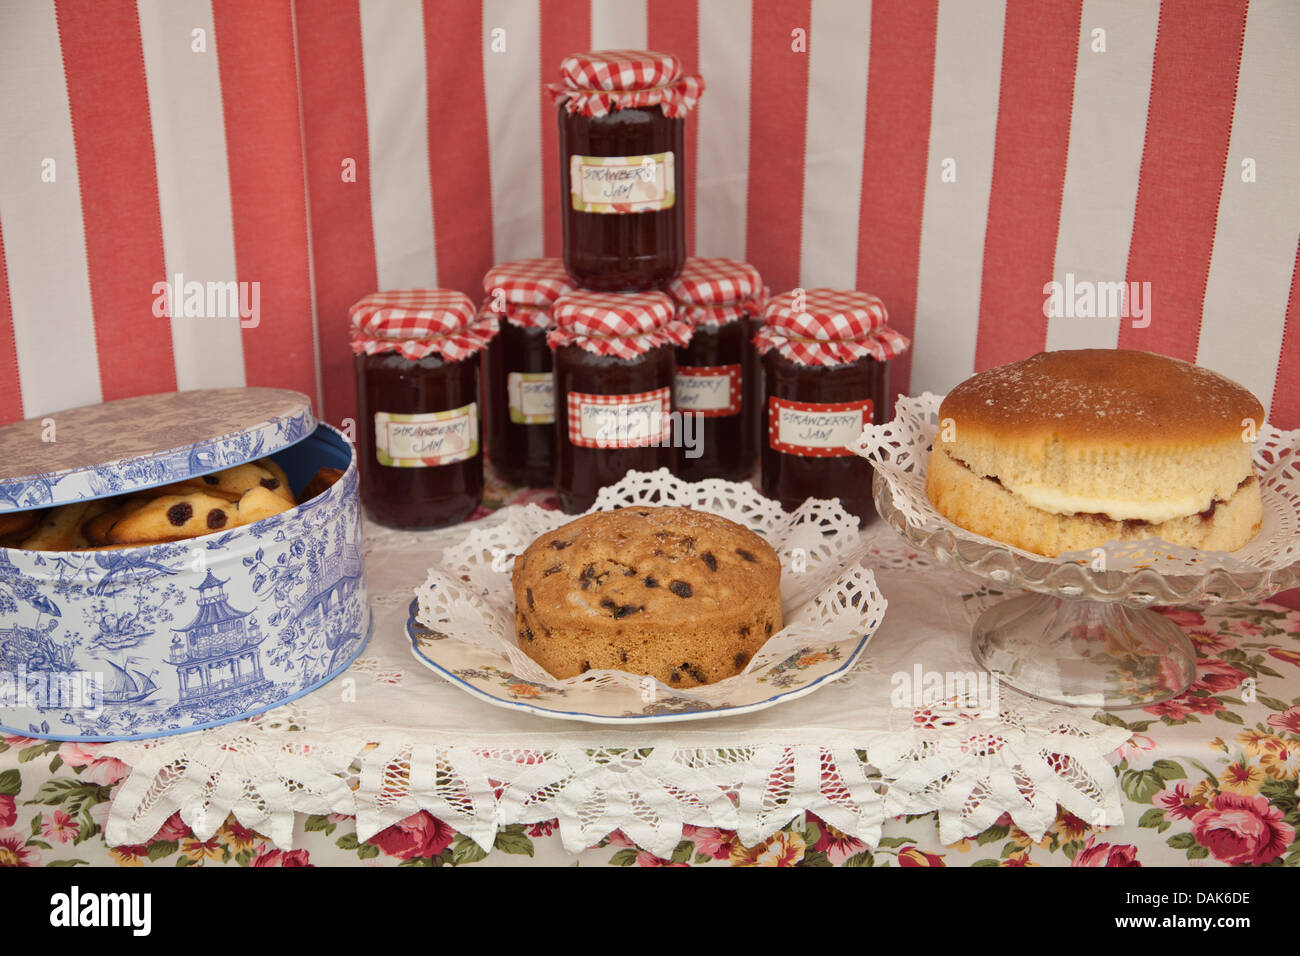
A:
<point x="829" y="327"/>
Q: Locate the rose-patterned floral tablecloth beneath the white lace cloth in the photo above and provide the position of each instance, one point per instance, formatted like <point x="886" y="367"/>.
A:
<point x="1207" y="778"/>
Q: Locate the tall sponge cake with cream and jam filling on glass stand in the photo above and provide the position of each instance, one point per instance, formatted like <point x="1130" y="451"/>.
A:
<point x="1069" y="451"/>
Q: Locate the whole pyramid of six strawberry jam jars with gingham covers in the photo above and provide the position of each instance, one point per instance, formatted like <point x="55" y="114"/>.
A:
<point x="625" y="354"/>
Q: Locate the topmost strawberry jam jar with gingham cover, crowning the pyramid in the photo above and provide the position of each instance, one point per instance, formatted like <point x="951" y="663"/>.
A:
<point x="622" y="136"/>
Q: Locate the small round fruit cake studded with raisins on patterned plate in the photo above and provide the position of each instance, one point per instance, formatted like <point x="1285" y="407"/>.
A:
<point x="683" y="596"/>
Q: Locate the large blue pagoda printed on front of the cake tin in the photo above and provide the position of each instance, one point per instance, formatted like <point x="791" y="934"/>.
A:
<point x="218" y="655"/>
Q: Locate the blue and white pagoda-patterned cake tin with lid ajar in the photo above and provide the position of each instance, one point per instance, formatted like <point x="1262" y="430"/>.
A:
<point x="171" y="638"/>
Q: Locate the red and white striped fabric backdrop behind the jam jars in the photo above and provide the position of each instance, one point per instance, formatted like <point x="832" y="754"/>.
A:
<point x="825" y="167"/>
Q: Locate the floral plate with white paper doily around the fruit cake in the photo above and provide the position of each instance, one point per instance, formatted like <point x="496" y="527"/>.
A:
<point x="830" y="603"/>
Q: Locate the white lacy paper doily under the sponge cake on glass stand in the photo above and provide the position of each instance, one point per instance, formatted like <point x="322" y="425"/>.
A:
<point x="900" y="452"/>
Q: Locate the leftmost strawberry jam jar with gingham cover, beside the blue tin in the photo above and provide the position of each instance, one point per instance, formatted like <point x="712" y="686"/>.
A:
<point x="418" y="391"/>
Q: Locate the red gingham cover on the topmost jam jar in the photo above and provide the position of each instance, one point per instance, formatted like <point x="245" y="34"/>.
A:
<point x="595" y="84"/>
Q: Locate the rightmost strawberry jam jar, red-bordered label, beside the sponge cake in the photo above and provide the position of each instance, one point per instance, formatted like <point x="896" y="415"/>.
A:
<point x="826" y="362"/>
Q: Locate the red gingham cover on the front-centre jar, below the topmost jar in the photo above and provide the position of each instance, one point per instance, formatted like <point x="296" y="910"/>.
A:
<point x="622" y="325"/>
